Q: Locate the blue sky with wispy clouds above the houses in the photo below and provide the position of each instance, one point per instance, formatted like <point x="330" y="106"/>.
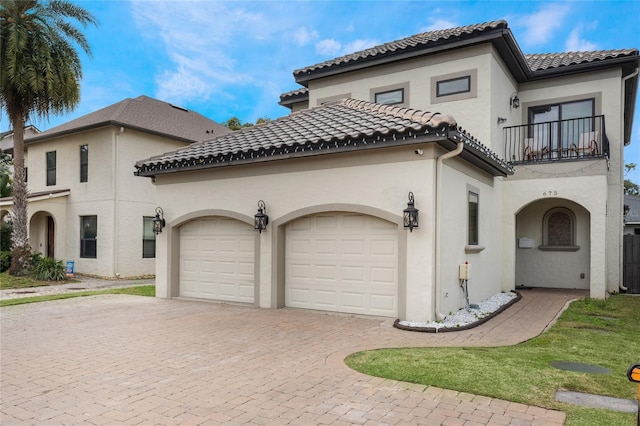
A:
<point x="235" y="58"/>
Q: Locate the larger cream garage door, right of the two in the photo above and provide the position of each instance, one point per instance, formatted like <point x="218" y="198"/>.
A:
<point x="342" y="262"/>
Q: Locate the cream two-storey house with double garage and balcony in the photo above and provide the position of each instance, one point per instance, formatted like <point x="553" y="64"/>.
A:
<point x="530" y="196"/>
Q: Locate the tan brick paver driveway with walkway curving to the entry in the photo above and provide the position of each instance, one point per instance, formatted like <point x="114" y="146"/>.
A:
<point x="135" y="360"/>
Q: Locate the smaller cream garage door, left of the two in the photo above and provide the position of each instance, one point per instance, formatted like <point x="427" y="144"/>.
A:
<point x="216" y="260"/>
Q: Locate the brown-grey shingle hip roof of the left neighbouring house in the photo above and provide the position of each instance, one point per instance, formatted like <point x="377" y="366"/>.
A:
<point x="145" y="114"/>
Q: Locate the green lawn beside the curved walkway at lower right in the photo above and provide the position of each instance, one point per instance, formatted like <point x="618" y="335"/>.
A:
<point x="604" y="333"/>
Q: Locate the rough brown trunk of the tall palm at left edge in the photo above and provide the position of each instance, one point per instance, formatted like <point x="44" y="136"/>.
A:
<point x="20" y="251"/>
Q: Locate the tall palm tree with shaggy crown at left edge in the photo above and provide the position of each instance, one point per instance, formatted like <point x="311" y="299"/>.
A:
<point x="40" y="75"/>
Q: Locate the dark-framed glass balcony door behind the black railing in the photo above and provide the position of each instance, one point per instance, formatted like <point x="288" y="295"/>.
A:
<point x="558" y="126"/>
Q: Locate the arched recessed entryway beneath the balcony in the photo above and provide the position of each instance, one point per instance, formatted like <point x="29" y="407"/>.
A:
<point x="553" y="245"/>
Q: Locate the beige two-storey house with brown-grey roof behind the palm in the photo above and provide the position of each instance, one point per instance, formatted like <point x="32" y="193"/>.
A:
<point x="85" y="204"/>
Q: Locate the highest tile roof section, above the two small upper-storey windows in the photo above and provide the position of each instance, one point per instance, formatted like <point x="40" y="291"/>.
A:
<point x="417" y="41"/>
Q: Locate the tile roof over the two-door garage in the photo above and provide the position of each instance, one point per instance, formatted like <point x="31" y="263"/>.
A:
<point x="345" y="125"/>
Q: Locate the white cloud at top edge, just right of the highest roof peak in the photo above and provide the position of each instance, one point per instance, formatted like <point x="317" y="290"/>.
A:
<point x="540" y="26"/>
